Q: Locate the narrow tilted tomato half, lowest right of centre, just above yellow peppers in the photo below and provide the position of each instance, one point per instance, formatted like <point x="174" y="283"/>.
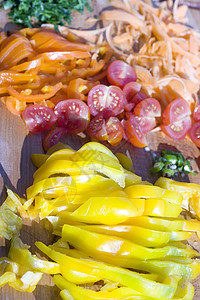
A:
<point x="134" y="133"/>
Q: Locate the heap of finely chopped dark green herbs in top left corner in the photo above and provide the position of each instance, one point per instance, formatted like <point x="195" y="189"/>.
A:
<point x="33" y="13"/>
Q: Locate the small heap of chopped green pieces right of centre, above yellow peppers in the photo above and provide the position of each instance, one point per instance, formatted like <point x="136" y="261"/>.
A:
<point x="172" y="163"/>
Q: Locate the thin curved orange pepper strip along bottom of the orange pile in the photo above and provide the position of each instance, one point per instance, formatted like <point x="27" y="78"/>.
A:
<point x="35" y="98"/>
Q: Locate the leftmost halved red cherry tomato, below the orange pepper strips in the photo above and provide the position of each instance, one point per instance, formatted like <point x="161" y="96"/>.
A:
<point x="38" y="117"/>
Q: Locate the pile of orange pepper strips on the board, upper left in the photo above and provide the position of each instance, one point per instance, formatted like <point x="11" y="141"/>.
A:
<point x="37" y="66"/>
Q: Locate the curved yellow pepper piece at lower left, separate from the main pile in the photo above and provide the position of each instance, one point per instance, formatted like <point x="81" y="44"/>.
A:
<point x="19" y="253"/>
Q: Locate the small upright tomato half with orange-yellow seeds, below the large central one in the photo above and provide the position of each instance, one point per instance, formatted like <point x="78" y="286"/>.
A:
<point x="114" y="131"/>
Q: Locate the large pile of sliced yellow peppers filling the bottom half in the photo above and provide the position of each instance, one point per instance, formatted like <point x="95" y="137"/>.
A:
<point x="138" y="236"/>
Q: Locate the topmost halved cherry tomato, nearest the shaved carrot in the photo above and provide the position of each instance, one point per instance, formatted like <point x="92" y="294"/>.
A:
<point x="120" y="73"/>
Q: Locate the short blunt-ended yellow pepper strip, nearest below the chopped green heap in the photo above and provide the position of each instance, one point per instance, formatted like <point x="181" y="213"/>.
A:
<point x="151" y="191"/>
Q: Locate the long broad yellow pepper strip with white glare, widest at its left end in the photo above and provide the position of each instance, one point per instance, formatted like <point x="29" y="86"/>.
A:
<point x="103" y="246"/>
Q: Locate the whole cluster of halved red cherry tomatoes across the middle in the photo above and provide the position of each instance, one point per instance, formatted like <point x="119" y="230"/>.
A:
<point x="114" y="111"/>
